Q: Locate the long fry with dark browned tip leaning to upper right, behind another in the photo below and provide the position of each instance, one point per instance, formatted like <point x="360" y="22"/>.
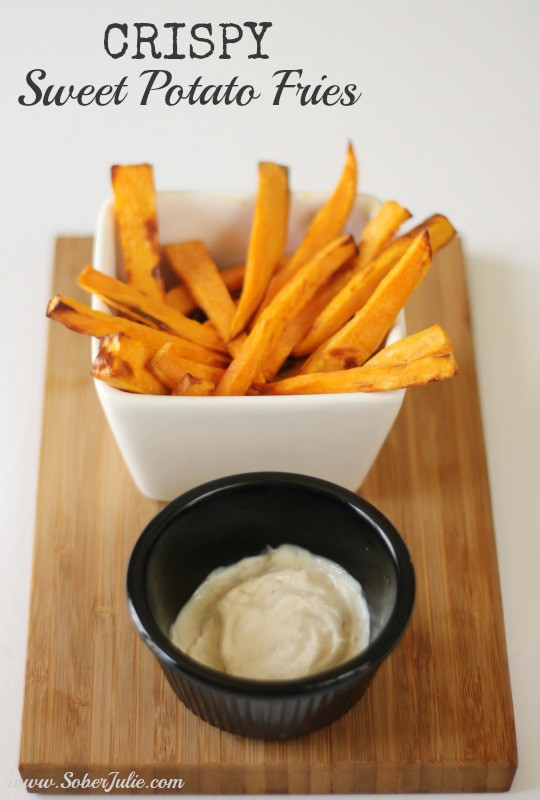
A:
<point x="363" y="283"/>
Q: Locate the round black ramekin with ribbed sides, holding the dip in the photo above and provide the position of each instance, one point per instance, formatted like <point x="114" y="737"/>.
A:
<point x="219" y="523"/>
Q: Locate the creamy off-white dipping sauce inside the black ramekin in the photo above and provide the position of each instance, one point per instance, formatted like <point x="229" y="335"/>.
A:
<point x="284" y="614"/>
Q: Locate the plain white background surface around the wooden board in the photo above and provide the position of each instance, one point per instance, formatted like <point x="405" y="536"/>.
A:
<point x="448" y="121"/>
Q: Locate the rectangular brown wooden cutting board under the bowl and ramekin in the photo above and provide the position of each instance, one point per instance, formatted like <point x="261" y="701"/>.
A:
<point x="438" y="716"/>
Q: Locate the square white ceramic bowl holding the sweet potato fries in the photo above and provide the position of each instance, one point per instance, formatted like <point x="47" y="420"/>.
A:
<point x="171" y="444"/>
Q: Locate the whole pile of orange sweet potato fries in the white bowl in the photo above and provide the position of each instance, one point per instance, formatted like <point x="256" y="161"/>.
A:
<point x="315" y="322"/>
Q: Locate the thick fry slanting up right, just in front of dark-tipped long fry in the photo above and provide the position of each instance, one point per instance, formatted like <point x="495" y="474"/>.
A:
<point x="367" y="329"/>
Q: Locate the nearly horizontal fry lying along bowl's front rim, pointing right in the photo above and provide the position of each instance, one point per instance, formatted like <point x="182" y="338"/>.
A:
<point x="366" y="378"/>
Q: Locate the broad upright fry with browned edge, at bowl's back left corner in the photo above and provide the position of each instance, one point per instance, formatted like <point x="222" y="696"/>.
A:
<point x="135" y="204"/>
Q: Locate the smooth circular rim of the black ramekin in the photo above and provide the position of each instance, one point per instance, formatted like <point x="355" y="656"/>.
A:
<point x="365" y="662"/>
